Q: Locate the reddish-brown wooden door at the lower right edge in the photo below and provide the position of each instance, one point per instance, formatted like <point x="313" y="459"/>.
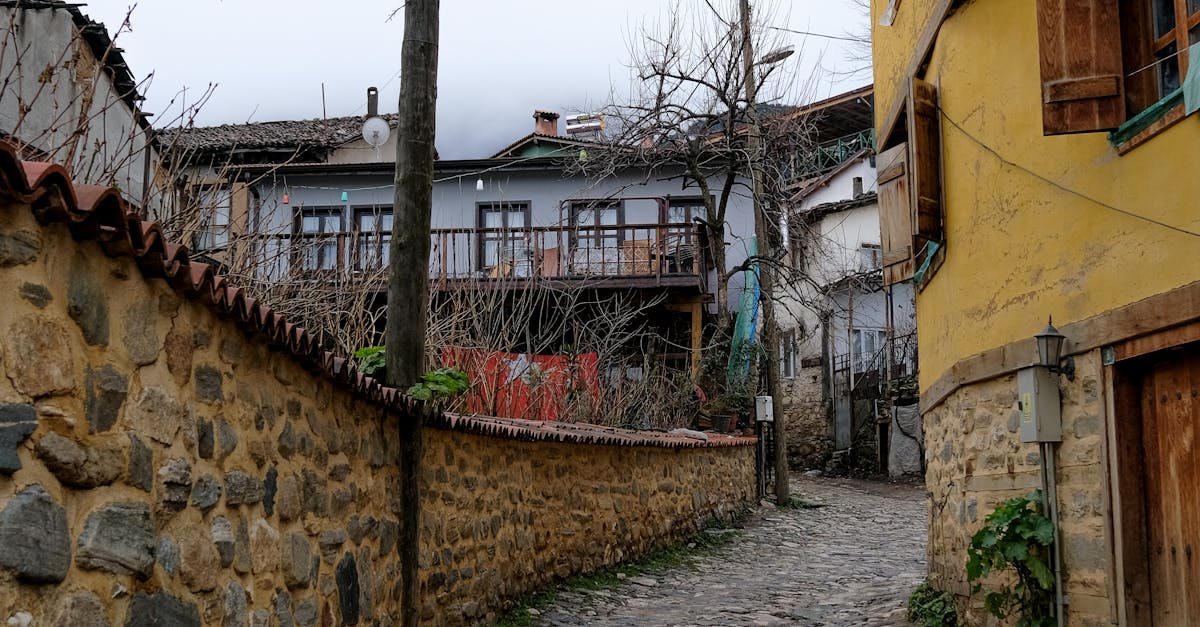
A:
<point x="1171" y="410"/>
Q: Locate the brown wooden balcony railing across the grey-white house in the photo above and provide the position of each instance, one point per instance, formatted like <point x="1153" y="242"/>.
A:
<point x="639" y="254"/>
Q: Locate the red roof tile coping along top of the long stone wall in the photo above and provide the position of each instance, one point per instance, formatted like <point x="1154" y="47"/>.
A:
<point x="101" y="214"/>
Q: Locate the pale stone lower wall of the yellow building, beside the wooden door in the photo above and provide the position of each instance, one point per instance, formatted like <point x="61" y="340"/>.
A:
<point x="976" y="462"/>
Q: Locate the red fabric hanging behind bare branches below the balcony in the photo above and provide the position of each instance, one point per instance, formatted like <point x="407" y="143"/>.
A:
<point x="537" y="387"/>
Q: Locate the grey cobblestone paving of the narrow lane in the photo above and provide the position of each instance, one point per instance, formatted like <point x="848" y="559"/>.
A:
<point x="851" y="562"/>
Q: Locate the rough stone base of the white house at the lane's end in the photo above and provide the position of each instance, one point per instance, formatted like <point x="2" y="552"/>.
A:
<point x="808" y="429"/>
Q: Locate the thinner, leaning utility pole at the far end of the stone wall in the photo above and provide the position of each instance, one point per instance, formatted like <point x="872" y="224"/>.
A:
<point x="766" y="279"/>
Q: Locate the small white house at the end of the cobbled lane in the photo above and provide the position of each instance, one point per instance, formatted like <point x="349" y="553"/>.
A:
<point x="844" y="336"/>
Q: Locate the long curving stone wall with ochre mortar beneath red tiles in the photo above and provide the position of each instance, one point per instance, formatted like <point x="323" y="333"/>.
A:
<point x="161" y="463"/>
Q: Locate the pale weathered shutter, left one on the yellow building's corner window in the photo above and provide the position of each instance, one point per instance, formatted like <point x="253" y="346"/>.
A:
<point x="896" y="214"/>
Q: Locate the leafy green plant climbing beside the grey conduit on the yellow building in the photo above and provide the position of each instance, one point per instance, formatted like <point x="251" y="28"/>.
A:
<point x="1017" y="536"/>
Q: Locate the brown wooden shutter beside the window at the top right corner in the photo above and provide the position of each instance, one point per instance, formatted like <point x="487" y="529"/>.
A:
<point x="1079" y="44"/>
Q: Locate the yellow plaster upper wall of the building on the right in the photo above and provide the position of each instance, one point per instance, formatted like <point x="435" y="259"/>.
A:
<point x="1019" y="248"/>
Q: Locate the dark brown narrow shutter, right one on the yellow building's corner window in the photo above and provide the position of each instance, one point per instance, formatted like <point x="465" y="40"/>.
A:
<point x="925" y="163"/>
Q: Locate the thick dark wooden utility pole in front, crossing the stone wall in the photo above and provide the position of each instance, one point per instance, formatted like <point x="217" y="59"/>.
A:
<point x="409" y="268"/>
